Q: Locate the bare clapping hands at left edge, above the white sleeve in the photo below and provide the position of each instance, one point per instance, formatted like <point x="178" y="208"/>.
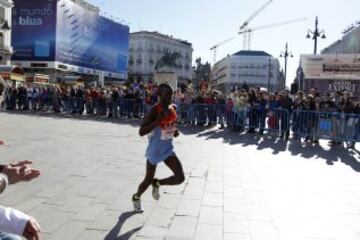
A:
<point x="21" y="171"/>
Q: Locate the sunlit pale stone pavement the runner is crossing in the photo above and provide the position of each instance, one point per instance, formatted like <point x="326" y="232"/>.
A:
<point x="237" y="186"/>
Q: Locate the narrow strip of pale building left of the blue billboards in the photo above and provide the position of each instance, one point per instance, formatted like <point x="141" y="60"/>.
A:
<point x="5" y="32"/>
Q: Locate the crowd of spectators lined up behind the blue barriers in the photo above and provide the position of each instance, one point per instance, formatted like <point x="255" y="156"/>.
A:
<point x="255" y="109"/>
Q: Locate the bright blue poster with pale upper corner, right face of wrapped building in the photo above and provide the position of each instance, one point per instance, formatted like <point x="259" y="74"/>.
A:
<point x="88" y="40"/>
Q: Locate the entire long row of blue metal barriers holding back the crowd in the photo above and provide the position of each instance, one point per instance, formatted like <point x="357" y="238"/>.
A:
<point x="307" y="124"/>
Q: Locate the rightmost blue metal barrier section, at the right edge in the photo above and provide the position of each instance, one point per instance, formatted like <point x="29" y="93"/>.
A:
<point x="326" y="125"/>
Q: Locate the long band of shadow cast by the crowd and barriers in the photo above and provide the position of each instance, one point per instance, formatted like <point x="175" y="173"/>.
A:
<point x="350" y="158"/>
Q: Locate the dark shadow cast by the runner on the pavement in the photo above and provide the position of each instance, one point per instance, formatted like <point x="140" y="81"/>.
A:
<point x="113" y="234"/>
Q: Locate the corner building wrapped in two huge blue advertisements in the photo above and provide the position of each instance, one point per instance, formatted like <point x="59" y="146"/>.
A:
<point x="66" y="39"/>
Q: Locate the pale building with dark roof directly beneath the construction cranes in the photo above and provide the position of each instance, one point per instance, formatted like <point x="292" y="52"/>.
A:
<point x="251" y="68"/>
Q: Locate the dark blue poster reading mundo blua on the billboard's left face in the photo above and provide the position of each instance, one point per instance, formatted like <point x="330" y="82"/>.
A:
<point x="34" y="30"/>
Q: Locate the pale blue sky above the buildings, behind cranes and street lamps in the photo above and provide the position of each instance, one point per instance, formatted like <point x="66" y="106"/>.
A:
<point x="207" y="22"/>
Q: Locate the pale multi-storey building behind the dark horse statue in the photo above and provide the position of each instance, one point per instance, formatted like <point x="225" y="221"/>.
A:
<point x="147" y="48"/>
